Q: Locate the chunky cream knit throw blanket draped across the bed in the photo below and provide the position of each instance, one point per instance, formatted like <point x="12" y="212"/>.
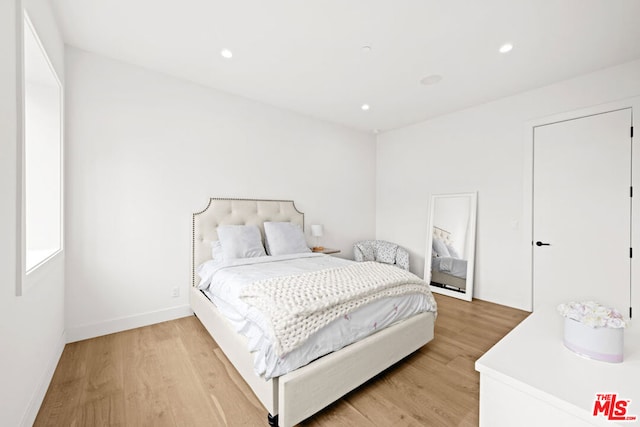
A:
<point x="301" y="304"/>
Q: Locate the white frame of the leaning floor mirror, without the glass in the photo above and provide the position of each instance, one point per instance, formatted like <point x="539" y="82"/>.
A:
<point x="473" y="199"/>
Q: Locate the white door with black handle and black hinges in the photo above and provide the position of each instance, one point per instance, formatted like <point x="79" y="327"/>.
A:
<point x="582" y="211"/>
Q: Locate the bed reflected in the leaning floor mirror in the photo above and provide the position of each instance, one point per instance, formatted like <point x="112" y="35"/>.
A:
<point x="448" y="270"/>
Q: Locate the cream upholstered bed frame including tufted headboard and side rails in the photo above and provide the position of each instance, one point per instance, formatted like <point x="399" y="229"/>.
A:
<point x="299" y="394"/>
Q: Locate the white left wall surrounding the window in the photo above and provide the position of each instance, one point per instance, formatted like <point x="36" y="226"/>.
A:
<point x="32" y="325"/>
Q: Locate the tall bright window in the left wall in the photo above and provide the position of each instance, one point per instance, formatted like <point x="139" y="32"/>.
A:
<point x="42" y="154"/>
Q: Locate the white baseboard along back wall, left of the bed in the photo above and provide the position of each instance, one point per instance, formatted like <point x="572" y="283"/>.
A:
<point x="84" y="332"/>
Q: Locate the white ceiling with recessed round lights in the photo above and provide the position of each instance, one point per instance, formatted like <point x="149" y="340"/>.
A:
<point x="307" y="55"/>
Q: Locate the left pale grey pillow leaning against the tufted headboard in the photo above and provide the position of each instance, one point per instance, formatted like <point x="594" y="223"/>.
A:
<point x="240" y="241"/>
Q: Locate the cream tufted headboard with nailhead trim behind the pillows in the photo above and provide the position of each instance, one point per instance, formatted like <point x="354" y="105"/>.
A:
<point x="235" y="212"/>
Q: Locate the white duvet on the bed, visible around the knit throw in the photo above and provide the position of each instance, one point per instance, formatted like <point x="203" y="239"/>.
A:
<point x="222" y="282"/>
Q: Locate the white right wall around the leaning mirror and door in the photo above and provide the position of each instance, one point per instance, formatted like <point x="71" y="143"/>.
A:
<point x="480" y="148"/>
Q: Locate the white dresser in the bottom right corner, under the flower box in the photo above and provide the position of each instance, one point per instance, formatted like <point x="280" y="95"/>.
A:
<point x="530" y="378"/>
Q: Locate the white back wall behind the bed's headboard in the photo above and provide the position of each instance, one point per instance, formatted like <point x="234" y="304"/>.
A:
<point x="146" y="150"/>
